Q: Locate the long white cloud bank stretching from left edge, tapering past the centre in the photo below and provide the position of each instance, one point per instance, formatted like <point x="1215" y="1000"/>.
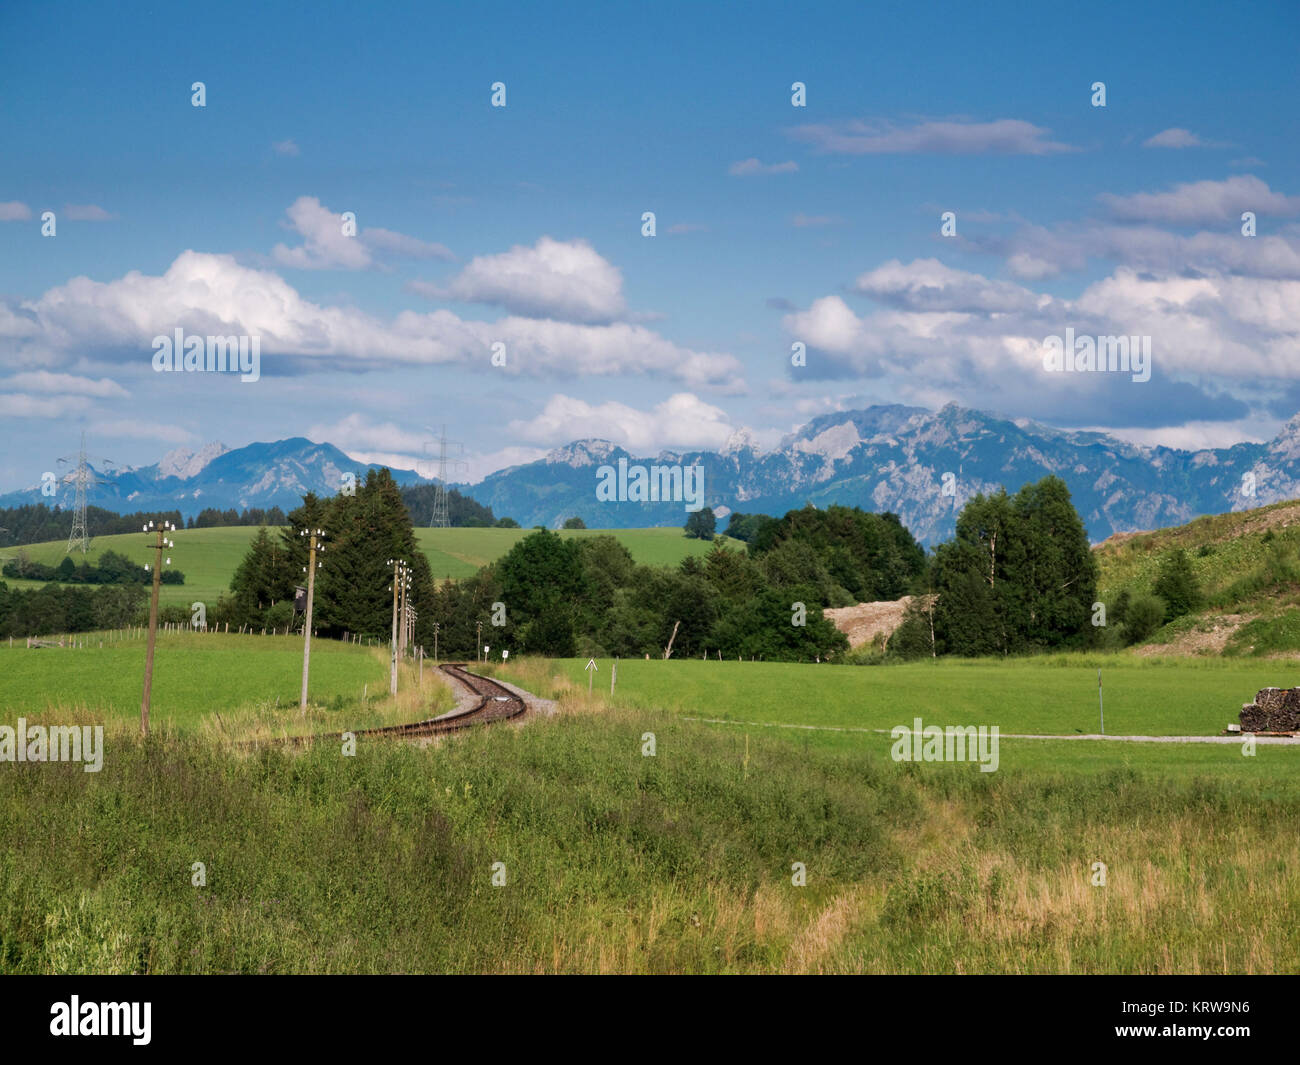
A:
<point x="215" y="295"/>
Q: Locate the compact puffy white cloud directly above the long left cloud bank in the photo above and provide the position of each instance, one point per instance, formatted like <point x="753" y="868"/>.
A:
<point x="565" y="280"/>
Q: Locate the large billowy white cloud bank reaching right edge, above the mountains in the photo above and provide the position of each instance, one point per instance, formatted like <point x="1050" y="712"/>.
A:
<point x="973" y="330"/>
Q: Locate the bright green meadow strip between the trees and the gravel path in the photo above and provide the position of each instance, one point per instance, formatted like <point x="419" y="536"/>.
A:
<point x="1054" y="696"/>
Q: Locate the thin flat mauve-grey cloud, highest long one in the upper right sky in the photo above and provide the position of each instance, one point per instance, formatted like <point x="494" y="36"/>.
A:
<point x="864" y="137"/>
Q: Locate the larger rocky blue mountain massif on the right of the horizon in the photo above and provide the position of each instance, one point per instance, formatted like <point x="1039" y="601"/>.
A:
<point x="894" y="458"/>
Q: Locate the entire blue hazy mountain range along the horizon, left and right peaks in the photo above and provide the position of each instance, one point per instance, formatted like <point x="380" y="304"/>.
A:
<point x="921" y="465"/>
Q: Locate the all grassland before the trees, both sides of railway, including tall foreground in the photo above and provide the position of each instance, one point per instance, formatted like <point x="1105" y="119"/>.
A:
<point x="614" y="861"/>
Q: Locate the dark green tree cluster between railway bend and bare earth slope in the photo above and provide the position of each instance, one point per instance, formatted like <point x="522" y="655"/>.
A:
<point x="562" y="598"/>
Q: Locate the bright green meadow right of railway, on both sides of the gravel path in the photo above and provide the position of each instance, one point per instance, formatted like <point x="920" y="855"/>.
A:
<point x="1149" y="698"/>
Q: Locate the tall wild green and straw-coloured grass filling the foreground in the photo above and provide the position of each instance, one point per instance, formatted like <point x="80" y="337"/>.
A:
<point x="613" y="861"/>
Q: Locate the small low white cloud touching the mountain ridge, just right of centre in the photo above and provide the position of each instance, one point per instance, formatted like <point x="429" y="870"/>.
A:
<point x="681" y="422"/>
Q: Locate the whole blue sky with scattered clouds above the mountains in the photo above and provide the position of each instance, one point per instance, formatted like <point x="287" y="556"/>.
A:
<point x="775" y="224"/>
